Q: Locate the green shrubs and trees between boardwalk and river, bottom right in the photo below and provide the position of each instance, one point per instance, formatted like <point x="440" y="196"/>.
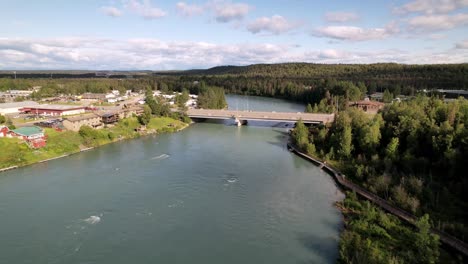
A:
<point x="374" y="236"/>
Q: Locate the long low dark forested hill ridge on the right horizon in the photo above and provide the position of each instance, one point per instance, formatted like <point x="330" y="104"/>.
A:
<point x="446" y="76"/>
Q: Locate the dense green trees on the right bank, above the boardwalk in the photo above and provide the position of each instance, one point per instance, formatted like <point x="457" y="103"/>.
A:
<point x="412" y="153"/>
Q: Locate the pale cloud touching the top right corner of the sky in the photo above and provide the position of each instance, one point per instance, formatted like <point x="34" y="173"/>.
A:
<point x="430" y="7"/>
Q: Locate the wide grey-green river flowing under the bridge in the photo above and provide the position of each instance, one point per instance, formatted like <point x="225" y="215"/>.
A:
<point x="212" y="193"/>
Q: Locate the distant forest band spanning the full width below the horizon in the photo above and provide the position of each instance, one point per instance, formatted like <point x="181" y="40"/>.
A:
<point x="304" y="82"/>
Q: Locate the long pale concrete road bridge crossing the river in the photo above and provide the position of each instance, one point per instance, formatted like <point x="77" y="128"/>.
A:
<point x="241" y="117"/>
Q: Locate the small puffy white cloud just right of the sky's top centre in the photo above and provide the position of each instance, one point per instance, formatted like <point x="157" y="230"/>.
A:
<point x="276" y="25"/>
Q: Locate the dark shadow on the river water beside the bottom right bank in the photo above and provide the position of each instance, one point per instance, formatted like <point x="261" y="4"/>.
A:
<point x="326" y="248"/>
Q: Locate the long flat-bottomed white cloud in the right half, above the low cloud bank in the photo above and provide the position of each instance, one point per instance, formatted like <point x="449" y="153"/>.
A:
<point x="356" y="33"/>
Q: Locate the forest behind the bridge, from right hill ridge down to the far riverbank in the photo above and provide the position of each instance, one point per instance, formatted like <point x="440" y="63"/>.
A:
<point x="308" y="82"/>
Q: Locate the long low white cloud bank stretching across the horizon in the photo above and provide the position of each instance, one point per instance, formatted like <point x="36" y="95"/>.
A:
<point x="154" y="54"/>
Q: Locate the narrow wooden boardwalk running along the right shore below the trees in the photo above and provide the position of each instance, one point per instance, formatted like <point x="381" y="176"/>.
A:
<point x="341" y="180"/>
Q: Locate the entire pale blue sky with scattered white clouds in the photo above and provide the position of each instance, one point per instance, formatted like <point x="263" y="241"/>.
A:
<point x="178" y="35"/>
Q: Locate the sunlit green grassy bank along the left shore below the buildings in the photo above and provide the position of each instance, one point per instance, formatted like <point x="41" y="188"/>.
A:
<point x="14" y="152"/>
